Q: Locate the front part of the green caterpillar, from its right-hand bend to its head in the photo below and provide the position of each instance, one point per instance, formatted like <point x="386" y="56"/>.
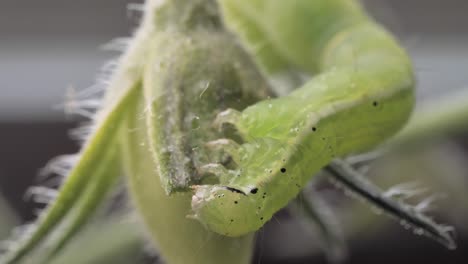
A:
<point x="363" y="94"/>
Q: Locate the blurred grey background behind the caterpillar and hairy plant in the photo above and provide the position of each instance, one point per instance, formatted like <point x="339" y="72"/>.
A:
<point x="50" y="45"/>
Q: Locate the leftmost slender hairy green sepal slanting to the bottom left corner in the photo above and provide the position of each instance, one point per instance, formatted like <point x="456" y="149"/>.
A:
<point x="80" y="178"/>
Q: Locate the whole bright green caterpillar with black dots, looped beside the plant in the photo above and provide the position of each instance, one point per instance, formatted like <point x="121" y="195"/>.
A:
<point x="363" y="94"/>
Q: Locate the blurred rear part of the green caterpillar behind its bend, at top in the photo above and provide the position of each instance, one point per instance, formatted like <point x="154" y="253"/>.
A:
<point x="285" y="35"/>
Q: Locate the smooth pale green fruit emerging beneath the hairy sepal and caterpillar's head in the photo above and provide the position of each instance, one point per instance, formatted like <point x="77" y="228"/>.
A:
<point x="180" y="239"/>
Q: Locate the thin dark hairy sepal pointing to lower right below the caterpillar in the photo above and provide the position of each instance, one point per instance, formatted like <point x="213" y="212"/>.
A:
<point x="411" y="215"/>
